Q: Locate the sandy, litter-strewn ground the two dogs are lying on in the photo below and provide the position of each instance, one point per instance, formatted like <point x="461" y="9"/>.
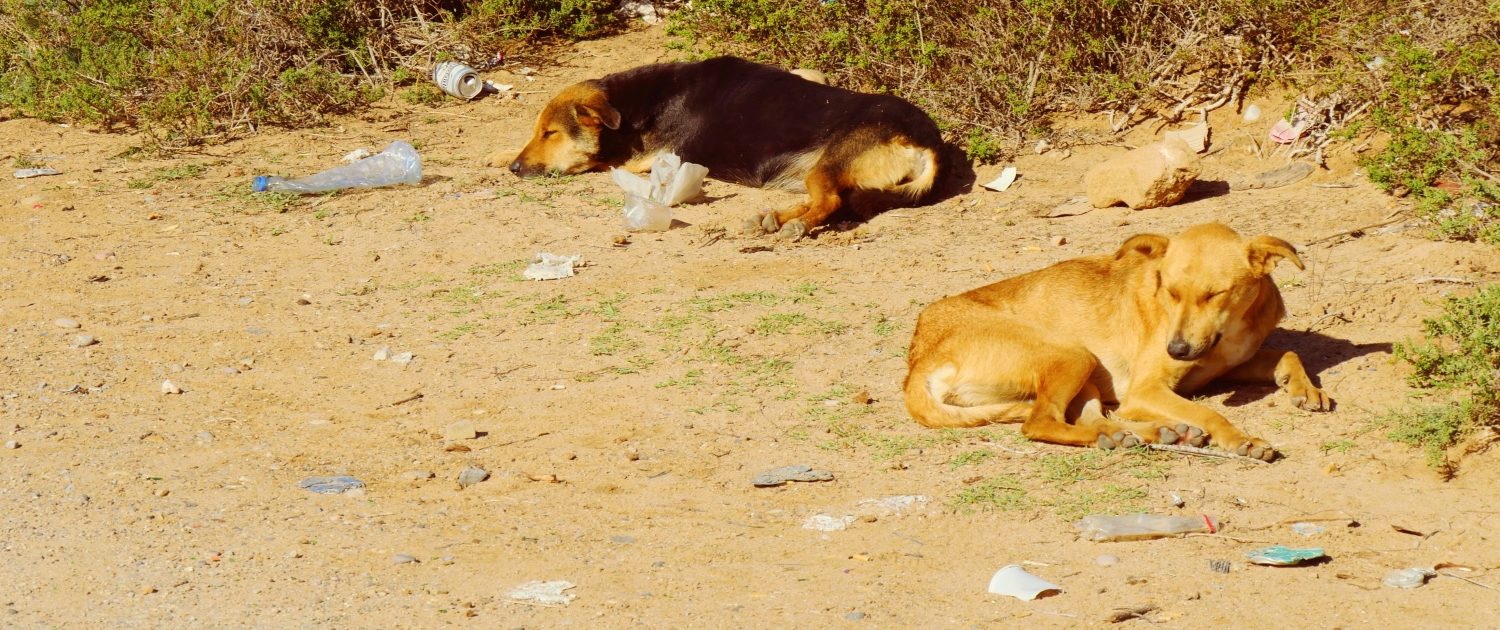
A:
<point x="623" y="412"/>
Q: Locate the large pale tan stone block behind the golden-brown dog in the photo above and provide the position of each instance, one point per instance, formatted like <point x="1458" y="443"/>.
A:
<point x="1148" y="178"/>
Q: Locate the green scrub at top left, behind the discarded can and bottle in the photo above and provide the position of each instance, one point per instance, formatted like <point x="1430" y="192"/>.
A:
<point x="188" y="70"/>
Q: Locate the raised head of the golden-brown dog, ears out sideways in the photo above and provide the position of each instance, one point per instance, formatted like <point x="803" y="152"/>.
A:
<point x="1204" y="278"/>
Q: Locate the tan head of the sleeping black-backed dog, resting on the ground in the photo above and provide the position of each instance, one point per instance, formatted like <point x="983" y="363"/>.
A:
<point x="566" y="137"/>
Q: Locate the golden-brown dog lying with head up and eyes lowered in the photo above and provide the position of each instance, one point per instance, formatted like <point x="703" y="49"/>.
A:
<point x="1130" y="332"/>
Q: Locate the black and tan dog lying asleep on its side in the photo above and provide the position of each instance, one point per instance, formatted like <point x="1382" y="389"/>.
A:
<point x="749" y="124"/>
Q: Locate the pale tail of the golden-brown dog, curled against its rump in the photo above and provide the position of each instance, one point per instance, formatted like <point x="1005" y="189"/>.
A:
<point x="929" y="391"/>
